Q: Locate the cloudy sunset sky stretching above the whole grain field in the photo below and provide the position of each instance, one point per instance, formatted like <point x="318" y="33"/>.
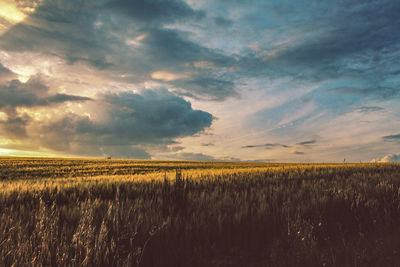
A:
<point x="225" y="80"/>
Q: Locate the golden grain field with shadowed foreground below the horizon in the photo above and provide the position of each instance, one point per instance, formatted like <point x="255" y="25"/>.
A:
<point x="85" y="212"/>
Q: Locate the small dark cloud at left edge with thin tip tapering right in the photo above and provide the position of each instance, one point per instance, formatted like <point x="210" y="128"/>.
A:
<point x="33" y="93"/>
